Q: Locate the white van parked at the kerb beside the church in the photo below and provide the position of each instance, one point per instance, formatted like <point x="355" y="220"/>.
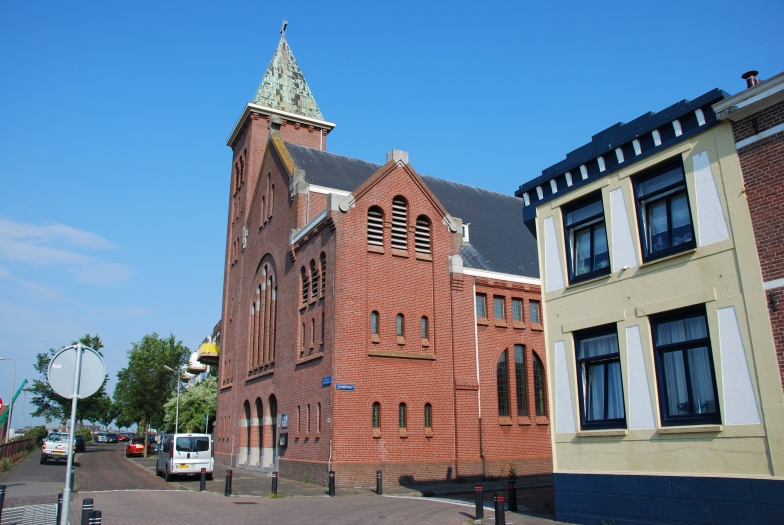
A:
<point x="185" y="454"/>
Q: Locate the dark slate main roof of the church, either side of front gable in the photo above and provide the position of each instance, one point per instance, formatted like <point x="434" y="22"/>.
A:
<point x="500" y="242"/>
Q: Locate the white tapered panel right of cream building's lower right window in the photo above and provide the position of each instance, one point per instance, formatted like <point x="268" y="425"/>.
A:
<point x="740" y="402"/>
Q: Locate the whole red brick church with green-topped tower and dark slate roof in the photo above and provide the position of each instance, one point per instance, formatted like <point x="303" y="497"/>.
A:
<point x="373" y="318"/>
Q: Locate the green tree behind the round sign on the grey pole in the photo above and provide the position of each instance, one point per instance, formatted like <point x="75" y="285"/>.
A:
<point x="53" y="407"/>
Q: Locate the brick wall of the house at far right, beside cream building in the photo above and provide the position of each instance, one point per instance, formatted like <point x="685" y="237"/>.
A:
<point x="762" y="163"/>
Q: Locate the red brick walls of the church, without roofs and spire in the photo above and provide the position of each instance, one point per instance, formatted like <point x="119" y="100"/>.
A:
<point x="282" y="335"/>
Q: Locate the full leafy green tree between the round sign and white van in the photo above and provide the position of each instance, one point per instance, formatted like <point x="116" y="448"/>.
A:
<point x="144" y="385"/>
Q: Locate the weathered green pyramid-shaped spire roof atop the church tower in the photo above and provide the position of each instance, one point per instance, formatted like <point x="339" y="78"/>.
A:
<point x="283" y="86"/>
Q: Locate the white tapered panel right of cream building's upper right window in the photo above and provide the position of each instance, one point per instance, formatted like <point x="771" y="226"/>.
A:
<point x="711" y="223"/>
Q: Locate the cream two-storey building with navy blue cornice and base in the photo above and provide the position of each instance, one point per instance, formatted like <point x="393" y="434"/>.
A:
<point x="663" y="382"/>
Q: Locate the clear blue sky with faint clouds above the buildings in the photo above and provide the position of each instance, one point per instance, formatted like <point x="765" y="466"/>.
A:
<point x="114" y="172"/>
